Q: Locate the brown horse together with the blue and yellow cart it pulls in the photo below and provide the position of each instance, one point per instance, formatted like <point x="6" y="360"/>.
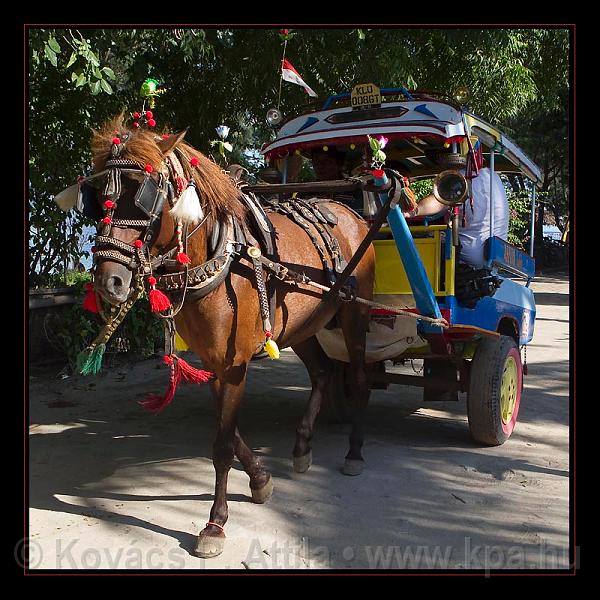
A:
<point x="236" y="268"/>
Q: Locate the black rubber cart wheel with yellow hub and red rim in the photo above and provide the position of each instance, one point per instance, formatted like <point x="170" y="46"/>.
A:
<point x="495" y="386"/>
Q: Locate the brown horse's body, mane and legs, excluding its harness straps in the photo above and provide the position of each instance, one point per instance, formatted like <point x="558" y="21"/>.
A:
<point x="224" y="328"/>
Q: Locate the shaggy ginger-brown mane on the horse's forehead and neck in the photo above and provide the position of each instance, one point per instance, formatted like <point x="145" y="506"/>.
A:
<point x="215" y="187"/>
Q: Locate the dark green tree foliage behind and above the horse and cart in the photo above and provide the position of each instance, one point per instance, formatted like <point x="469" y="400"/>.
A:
<point x="79" y="78"/>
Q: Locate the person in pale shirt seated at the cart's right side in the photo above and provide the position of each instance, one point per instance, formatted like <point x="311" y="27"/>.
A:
<point x="477" y="219"/>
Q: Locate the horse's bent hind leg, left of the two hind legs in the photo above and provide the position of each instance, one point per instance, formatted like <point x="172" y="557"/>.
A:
<point x="320" y="369"/>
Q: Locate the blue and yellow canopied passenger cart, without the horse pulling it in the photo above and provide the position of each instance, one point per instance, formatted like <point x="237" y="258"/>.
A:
<point x="472" y="323"/>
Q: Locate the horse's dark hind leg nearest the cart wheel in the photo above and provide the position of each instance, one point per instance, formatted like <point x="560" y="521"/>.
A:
<point x="355" y="319"/>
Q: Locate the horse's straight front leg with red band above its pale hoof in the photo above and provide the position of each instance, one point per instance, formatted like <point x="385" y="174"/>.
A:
<point x="231" y="390"/>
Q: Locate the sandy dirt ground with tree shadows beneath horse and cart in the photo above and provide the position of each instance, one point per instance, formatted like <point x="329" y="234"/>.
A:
<point x="111" y="486"/>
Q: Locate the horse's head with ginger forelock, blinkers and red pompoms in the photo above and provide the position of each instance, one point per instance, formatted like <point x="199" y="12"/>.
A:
<point x="138" y="178"/>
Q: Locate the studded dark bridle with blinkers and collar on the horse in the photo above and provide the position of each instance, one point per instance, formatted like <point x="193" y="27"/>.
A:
<point x="153" y="189"/>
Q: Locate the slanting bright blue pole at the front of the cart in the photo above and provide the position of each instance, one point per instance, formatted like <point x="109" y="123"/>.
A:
<point x="415" y="271"/>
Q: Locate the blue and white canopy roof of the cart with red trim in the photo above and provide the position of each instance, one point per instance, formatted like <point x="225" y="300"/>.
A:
<point x="413" y="123"/>
